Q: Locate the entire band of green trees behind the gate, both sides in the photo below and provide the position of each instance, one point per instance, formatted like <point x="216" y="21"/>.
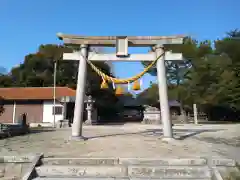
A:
<point x="209" y="75"/>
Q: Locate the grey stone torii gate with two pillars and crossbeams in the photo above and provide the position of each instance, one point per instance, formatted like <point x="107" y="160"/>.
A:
<point x="121" y="43"/>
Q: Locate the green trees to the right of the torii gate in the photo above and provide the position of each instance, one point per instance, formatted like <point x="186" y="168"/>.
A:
<point x="209" y="75"/>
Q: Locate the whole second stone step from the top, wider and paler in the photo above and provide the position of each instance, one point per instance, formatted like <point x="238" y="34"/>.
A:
<point x="174" y="172"/>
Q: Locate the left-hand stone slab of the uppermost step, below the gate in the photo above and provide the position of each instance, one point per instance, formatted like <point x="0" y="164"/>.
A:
<point x="80" y="161"/>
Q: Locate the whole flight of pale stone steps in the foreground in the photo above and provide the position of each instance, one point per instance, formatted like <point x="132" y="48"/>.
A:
<point x="130" y="168"/>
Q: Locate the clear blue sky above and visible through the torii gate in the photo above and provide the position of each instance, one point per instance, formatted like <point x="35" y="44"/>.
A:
<point x="28" y="23"/>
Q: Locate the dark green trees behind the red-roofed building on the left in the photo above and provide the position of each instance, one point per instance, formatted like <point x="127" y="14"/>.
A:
<point x="37" y="71"/>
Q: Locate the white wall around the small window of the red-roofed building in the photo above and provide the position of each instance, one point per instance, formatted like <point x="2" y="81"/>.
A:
<point x="48" y="114"/>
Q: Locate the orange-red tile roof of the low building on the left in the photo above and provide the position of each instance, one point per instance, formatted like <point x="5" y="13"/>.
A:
<point x="35" y="93"/>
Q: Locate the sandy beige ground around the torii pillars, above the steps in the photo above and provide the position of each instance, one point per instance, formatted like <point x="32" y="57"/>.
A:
<point x="131" y="140"/>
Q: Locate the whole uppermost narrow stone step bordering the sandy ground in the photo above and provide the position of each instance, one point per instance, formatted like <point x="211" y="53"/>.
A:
<point x="126" y="161"/>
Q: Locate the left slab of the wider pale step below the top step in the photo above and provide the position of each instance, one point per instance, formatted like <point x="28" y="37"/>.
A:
<point x="81" y="171"/>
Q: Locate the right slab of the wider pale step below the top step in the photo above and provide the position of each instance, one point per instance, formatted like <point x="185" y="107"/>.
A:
<point x="169" y="172"/>
